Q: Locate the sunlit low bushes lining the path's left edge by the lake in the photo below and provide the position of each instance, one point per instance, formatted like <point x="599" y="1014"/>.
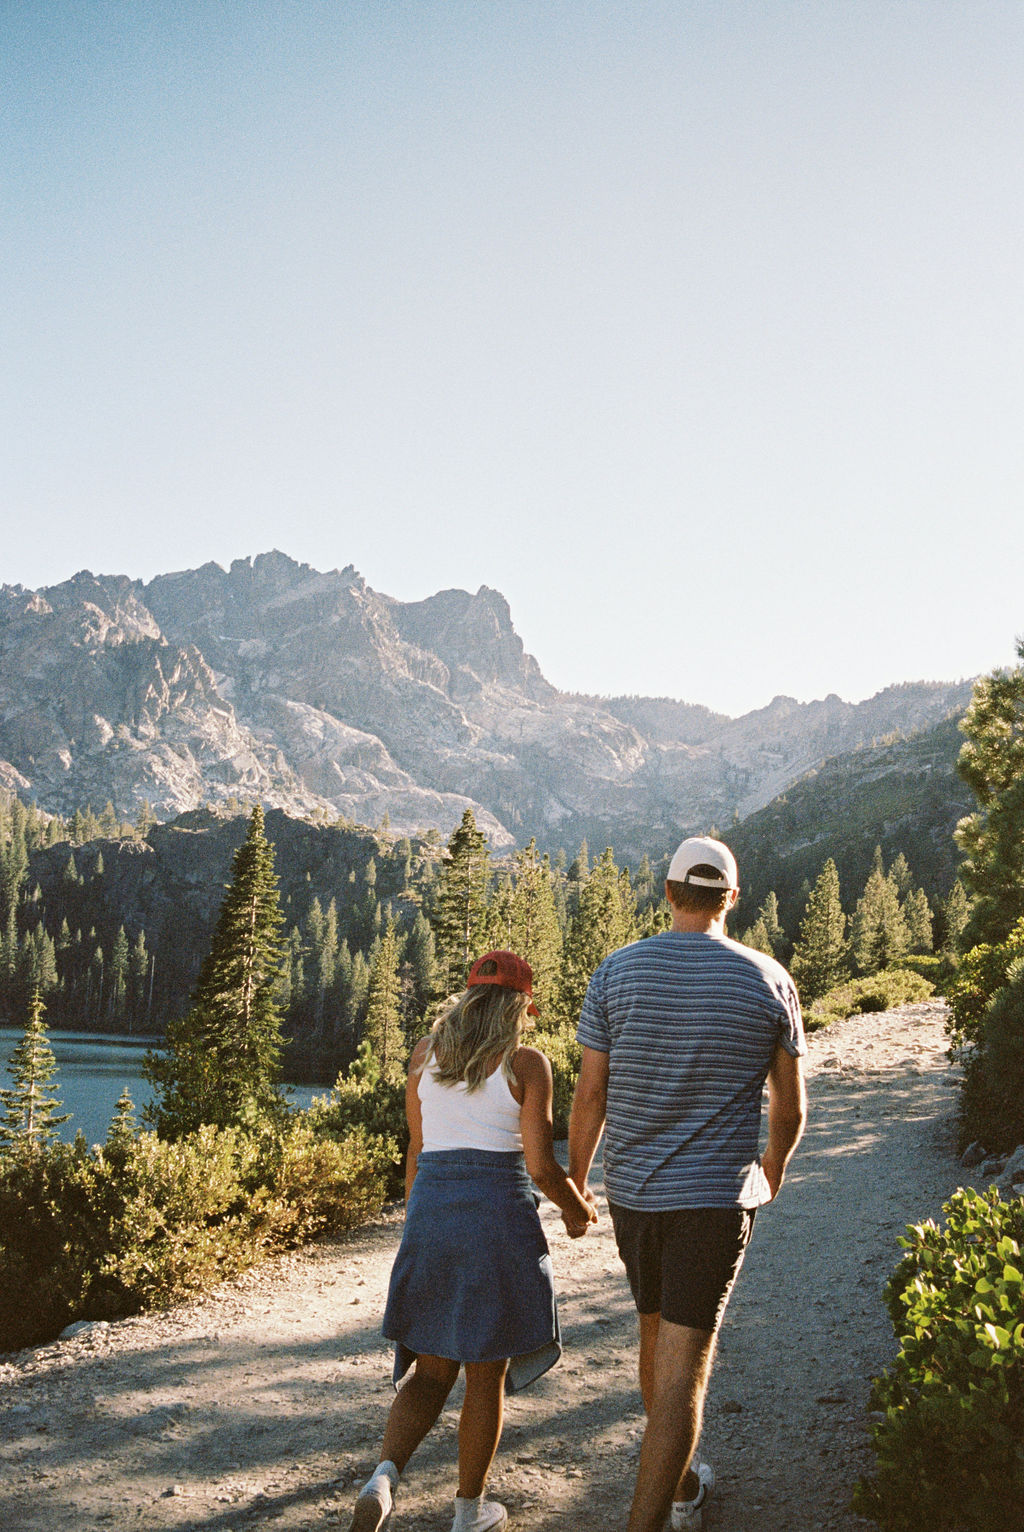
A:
<point x="99" y="1234"/>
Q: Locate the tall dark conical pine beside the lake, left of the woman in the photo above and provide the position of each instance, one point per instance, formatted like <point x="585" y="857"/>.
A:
<point x="222" y="1061"/>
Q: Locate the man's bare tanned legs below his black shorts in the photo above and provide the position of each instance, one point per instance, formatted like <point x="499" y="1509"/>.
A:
<point x="675" y="1370"/>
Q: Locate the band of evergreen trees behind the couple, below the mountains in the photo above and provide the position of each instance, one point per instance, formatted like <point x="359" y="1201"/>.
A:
<point x="110" y="921"/>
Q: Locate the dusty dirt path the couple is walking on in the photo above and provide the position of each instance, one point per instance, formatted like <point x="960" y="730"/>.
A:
<point x="263" y="1404"/>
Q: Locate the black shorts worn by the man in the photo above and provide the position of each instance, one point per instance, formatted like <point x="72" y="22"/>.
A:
<point x="683" y="1265"/>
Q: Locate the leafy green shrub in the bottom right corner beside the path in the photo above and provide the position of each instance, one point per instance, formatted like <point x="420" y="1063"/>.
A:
<point x="950" y="1453"/>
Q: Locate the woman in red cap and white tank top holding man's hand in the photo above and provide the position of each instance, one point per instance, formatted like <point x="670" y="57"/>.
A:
<point x="473" y="1280"/>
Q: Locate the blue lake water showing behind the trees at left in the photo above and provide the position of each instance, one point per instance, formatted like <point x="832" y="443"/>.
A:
<point x="94" y="1069"/>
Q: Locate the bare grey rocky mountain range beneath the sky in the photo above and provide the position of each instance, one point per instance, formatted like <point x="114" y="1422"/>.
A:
<point x="321" y="696"/>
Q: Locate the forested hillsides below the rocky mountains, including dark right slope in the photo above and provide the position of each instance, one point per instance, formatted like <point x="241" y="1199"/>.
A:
<point x="113" y="920"/>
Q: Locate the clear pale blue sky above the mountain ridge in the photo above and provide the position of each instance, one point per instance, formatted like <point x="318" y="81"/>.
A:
<point x="695" y="329"/>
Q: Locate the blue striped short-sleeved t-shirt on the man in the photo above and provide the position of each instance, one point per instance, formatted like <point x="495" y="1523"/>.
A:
<point x="691" y="1024"/>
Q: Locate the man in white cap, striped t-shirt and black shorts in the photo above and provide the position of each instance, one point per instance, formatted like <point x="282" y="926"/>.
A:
<point x="680" y="1035"/>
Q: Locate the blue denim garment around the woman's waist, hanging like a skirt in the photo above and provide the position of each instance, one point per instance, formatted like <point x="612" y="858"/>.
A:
<point x="473" y="1278"/>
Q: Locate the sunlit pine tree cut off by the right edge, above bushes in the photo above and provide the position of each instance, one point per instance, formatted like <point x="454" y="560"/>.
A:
<point x="993" y="839"/>
